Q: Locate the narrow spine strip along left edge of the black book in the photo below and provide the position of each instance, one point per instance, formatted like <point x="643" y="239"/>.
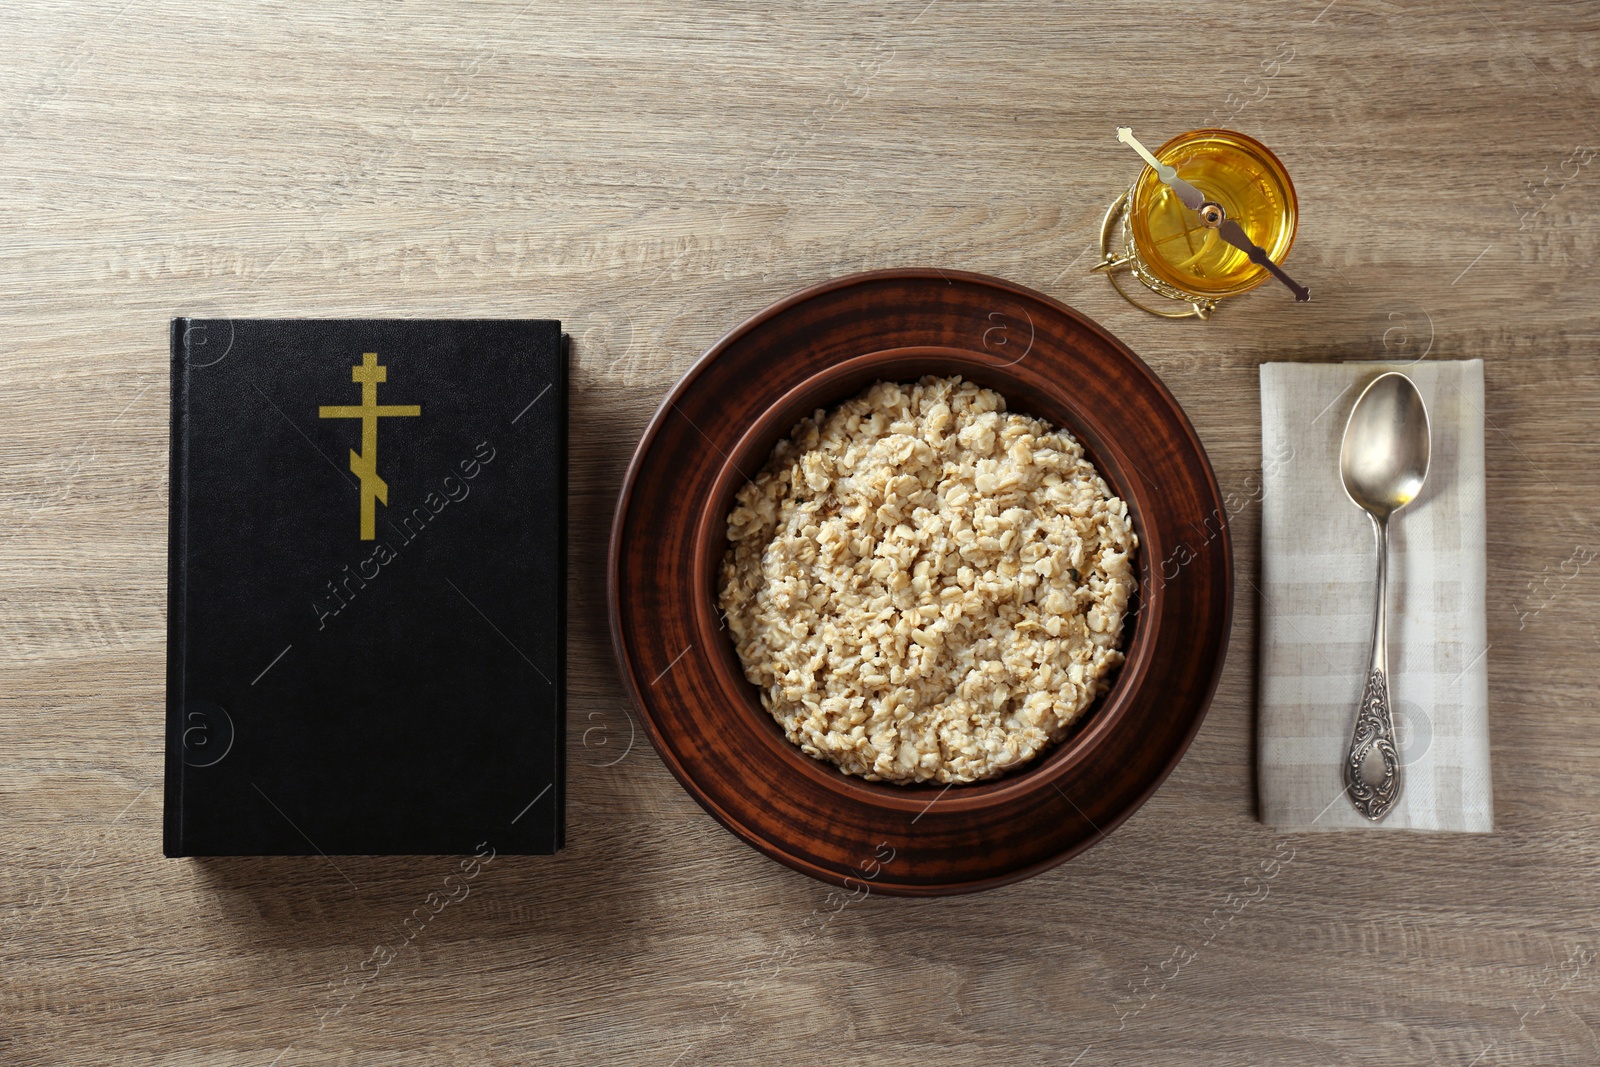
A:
<point x="177" y="559"/>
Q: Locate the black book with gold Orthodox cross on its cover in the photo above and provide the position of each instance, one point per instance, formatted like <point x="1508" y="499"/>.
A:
<point x="367" y="588"/>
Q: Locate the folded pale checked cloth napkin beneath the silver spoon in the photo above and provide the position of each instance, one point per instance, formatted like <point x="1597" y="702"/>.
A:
<point x="1318" y="596"/>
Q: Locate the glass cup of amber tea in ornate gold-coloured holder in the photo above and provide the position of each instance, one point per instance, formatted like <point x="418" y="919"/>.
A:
<point x="1172" y="250"/>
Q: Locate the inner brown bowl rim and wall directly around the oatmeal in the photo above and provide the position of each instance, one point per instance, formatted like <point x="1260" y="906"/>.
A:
<point x="710" y="541"/>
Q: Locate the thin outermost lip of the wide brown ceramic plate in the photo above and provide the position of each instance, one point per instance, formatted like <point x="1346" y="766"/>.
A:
<point x="774" y="849"/>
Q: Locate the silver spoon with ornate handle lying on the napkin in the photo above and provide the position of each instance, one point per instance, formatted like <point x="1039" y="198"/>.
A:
<point x="1385" y="465"/>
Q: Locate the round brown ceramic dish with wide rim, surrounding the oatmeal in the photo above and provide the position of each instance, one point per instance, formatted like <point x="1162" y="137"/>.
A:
<point x="719" y="426"/>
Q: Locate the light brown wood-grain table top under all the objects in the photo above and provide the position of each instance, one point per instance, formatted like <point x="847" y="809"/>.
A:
<point x="652" y="175"/>
